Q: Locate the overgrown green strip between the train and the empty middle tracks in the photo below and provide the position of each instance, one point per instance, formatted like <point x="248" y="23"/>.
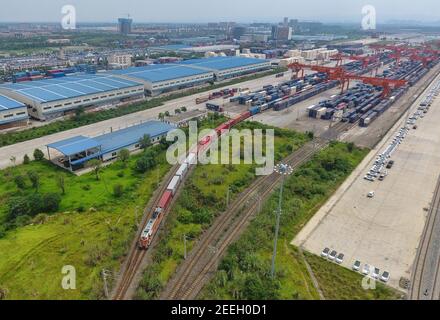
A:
<point x="201" y="200"/>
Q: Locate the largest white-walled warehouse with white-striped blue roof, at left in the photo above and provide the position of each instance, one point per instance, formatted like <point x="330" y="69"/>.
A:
<point x="51" y="98"/>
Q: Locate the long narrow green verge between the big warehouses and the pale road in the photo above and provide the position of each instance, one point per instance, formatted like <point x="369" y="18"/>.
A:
<point x="90" y="118"/>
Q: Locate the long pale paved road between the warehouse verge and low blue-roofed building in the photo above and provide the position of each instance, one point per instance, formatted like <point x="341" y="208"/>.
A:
<point x="27" y="147"/>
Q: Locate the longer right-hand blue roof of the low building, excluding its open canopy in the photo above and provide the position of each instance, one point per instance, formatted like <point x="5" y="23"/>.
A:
<point x="131" y="135"/>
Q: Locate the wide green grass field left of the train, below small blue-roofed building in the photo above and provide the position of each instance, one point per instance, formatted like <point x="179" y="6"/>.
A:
<point x="91" y="231"/>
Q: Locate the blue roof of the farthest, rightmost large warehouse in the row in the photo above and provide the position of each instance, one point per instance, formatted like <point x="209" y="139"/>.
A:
<point x="222" y="63"/>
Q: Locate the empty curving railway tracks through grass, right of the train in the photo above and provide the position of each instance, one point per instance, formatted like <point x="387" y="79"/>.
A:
<point x="192" y="274"/>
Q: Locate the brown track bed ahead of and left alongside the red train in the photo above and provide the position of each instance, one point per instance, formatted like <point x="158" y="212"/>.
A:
<point x="136" y="256"/>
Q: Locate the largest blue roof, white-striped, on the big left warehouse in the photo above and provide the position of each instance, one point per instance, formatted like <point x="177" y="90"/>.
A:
<point x="48" y="90"/>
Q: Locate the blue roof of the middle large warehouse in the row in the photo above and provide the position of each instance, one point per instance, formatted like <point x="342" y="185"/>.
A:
<point x="160" y="72"/>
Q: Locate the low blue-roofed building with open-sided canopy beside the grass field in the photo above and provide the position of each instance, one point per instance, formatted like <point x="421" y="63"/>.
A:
<point x="73" y="153"/>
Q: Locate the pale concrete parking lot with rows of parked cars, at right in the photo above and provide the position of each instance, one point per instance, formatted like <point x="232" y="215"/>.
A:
<point x="379" y="221"/>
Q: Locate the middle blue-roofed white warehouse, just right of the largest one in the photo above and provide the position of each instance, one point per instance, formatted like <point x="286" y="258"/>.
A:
<point x="160" y="78"/>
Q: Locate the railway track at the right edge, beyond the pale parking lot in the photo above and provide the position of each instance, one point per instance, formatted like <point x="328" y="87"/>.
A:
<point x="423" y="267"/>
